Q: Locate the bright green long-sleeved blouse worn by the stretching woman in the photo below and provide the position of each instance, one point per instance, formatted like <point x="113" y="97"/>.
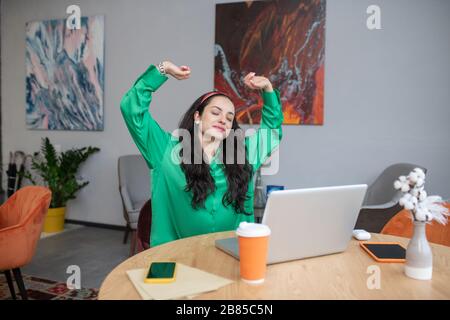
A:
<point x="173" y="216"/>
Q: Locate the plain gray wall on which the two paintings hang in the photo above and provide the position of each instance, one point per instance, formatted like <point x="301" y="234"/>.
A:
<point x="386" y="92"/>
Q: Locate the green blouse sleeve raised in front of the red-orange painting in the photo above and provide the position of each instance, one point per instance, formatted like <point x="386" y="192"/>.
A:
<point x="268" y="136"/>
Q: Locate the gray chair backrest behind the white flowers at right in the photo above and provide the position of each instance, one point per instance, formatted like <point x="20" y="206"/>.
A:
<point x="382" y="189"/>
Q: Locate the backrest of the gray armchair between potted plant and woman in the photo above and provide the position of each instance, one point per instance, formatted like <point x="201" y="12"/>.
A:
<point x="134" y="177"/>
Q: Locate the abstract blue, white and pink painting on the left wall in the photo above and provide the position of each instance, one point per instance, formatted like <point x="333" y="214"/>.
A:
<point x="65" y="75"/>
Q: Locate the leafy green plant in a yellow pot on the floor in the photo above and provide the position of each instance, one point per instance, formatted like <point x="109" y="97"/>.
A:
<point x="58" y="172"/>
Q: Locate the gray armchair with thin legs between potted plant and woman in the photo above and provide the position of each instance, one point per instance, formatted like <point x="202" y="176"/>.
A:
<point x="134" y="187"/>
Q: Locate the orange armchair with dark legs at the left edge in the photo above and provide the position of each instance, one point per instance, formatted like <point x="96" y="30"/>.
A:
<point x="21" y="220"/>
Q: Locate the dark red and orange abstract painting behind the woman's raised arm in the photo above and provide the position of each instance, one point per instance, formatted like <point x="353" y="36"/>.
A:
<point x="283" y="40"/>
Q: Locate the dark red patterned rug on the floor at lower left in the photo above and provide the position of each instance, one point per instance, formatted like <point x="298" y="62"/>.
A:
<point x="43" y="289"/>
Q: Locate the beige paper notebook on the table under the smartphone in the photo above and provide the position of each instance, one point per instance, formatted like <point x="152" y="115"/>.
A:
<point x="189" y="282"/>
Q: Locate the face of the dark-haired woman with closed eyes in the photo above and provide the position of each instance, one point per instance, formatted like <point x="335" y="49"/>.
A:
<point x="217" y="118"/>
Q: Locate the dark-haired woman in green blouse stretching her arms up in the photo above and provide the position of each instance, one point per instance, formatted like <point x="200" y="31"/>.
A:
<point x="194" y="189"/>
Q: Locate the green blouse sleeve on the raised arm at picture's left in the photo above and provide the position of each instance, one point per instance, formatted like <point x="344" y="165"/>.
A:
<point x="149" y="137"/>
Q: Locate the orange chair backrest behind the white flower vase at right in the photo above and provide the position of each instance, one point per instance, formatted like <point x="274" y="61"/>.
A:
<point x="401" y="225"/>
